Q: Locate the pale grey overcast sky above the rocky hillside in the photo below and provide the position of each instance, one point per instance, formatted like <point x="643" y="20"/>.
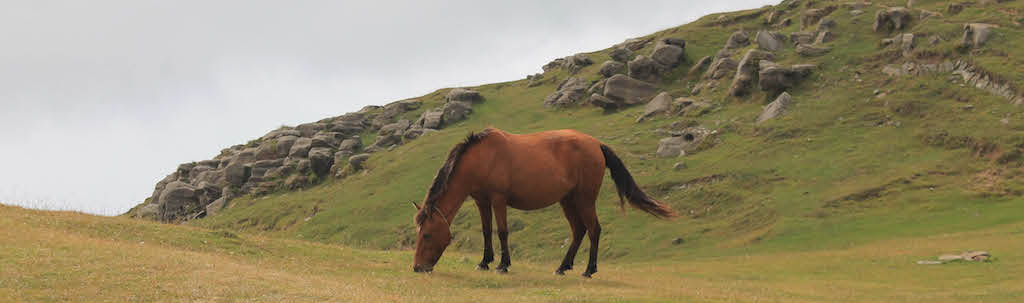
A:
<point x="101" y="100"/>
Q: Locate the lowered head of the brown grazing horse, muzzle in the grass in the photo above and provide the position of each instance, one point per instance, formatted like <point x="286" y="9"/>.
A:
<point x="434" y="236"/>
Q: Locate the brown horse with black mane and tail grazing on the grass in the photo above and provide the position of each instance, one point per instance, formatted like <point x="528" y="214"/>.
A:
<point x="526" y="172"/>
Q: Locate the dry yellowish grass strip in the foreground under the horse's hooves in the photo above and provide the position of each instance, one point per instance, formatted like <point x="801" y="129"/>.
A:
<point x="61" y="256"/>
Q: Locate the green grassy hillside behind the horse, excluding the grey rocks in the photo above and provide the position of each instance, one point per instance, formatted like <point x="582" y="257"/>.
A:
<point x="861" y="159"/>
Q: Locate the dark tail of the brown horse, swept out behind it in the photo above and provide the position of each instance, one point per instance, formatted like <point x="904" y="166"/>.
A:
<point x="628" y="190"/>
